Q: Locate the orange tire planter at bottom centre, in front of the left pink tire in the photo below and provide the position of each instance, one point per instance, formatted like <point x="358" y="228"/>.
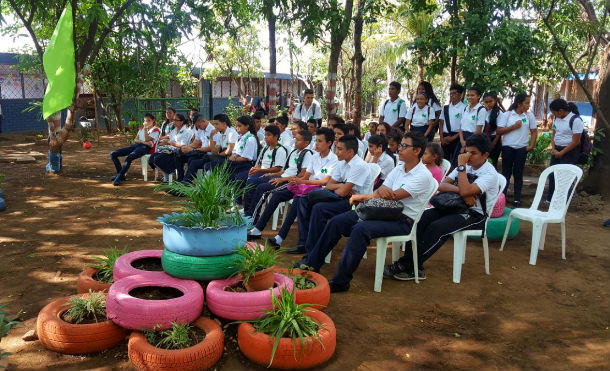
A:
<point x="182" y="347"/>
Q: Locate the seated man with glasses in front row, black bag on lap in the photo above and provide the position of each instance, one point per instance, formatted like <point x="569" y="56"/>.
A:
<point x="407" y="183"/>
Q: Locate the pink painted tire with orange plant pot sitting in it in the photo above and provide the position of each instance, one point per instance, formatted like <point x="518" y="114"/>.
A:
<point x="241" y="306"/>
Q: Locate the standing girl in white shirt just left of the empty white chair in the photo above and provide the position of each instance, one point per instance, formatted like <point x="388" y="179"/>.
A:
<point x="519" y="130"/>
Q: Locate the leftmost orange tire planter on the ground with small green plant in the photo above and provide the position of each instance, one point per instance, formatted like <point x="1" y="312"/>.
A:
<point x="78" y="325"/>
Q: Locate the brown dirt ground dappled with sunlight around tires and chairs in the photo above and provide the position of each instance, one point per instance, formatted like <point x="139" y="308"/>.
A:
<point x="554" y="315"/>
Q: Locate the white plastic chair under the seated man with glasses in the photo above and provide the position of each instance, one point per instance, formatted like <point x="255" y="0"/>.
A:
<point x="382" y="242"/>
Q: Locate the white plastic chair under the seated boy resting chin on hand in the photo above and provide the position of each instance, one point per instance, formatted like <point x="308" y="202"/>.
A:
<point x="459" y="238"/>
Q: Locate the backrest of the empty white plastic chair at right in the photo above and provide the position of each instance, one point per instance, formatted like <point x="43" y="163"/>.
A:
<point x="566" y="178"/>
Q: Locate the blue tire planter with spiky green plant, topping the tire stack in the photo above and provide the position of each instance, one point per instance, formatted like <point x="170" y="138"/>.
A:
<point x="211" y="224"/>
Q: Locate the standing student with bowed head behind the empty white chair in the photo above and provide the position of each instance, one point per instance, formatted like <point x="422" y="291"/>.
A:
<point x="566" y="137"/>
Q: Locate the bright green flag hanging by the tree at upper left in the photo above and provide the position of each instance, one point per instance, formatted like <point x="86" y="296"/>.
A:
<point x="59" y="66"/>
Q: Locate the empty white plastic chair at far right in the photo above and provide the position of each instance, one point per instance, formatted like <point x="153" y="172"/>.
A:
<point x="566" y="179"/>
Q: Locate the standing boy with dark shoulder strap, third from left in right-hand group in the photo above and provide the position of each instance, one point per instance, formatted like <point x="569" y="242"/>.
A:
<point x="451" y="118"/>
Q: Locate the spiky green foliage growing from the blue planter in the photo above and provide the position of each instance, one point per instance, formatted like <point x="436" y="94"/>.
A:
<point x="210" y="200"/>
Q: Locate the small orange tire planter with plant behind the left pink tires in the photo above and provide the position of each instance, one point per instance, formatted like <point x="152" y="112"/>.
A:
<point x="98" y="276"/>
